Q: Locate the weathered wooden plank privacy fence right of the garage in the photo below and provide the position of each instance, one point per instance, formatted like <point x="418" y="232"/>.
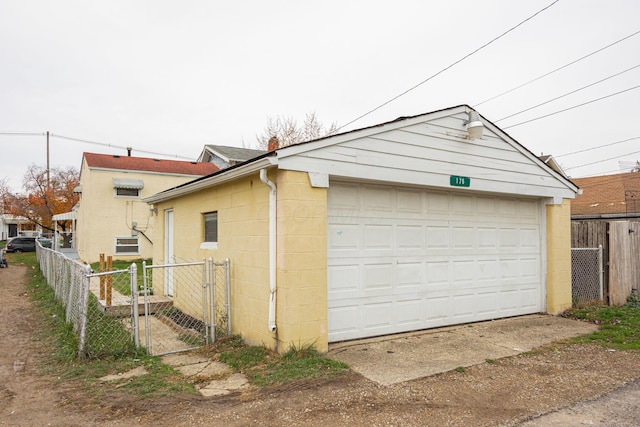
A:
<point x="620" y="241"/>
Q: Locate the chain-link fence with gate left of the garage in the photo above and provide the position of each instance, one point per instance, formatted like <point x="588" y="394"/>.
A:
<point x="161" y="308"/>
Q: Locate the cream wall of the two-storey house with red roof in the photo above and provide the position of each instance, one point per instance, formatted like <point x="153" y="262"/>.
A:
<point x="101" y="216"/>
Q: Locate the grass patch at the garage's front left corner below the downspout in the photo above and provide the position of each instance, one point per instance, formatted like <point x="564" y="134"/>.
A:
<point x="266" y="368"/>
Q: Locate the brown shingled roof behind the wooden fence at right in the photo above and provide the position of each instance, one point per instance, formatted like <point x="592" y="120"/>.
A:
<point x="607" y="196"/>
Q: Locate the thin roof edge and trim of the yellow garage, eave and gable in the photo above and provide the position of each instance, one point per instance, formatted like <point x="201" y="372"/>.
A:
<point x="272" y="158"/>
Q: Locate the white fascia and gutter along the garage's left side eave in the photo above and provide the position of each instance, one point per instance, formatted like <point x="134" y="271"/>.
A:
<point x="225" y="176"/>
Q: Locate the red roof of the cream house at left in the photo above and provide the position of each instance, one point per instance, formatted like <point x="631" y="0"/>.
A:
<point x="178" y="167"/>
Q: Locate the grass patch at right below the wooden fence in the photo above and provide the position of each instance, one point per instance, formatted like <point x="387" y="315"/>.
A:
<point x="619" y="327"/>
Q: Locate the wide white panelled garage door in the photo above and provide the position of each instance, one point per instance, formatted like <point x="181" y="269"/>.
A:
<point x="402" y="259"/>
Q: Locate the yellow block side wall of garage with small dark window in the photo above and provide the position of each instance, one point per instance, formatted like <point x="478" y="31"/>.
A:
<point x="243" y="237"/>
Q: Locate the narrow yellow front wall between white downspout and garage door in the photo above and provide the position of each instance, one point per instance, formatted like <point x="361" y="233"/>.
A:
<point x="302" y="262"/>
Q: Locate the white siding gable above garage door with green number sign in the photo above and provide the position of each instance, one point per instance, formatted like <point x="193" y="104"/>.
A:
<point x="427" y="150"/>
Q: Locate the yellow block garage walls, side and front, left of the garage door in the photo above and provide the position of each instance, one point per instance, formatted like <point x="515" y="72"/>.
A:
<point x="243" y="237"/>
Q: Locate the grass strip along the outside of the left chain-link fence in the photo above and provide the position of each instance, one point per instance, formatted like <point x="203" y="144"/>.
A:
<point x="60" y="343"/>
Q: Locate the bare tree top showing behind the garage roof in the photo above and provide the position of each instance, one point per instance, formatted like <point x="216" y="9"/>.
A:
<point x="289" y="132"/>
